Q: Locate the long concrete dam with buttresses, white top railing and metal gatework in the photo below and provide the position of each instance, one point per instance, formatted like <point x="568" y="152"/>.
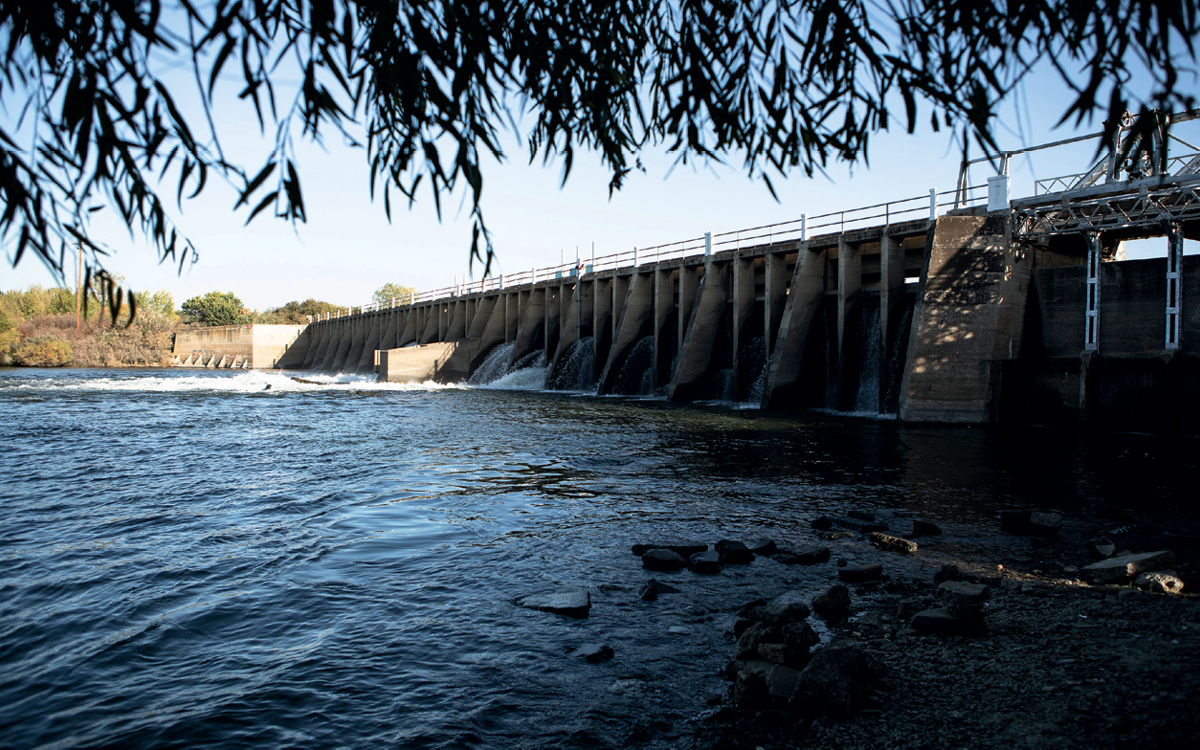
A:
<point x="979" y="310"/>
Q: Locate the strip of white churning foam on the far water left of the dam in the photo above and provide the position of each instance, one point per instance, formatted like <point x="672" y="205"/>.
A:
<point x="248" y="382"/>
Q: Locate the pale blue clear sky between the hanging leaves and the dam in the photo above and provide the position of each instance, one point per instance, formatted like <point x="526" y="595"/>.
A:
<point x="347" y="249"/>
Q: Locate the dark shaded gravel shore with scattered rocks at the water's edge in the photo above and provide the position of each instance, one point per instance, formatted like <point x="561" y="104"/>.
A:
<point x="887" y="632"/>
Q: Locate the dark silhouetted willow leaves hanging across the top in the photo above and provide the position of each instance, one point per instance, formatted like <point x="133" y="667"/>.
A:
<point x="428" y="86"/>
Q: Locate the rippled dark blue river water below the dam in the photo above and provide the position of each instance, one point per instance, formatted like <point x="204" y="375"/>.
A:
<point x="194" y="559"/>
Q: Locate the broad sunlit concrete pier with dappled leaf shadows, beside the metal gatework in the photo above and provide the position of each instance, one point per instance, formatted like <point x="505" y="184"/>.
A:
<point x="969" y="319"/>
